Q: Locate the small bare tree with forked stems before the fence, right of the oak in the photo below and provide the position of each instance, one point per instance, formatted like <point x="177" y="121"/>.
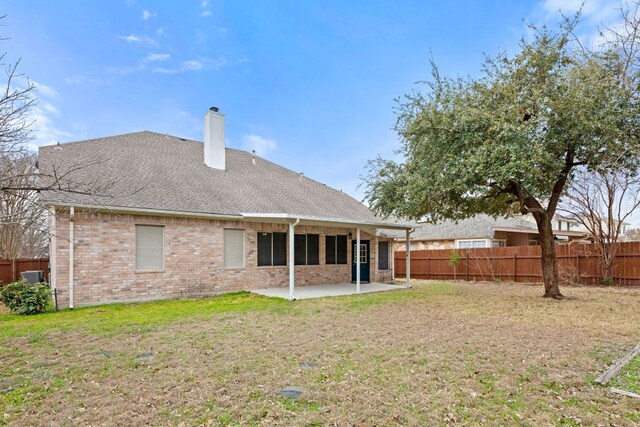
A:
<point x="602" y="201"/>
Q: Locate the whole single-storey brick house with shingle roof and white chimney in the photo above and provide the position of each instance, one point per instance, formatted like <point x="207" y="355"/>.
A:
<point x="168" y="217"/>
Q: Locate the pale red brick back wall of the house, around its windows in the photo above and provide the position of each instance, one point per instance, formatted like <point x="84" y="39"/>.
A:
<point x="104" y="259"/>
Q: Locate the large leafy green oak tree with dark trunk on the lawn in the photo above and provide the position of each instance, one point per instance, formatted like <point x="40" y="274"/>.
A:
<point x="507" y="142"/>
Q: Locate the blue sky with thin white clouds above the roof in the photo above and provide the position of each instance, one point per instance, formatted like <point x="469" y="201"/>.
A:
<point x="308" y="84"/>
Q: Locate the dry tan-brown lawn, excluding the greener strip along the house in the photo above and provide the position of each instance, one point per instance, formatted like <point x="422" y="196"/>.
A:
<point x="439" y="354"/>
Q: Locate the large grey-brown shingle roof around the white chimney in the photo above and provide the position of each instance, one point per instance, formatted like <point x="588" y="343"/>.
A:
<point x="156" y="171"/>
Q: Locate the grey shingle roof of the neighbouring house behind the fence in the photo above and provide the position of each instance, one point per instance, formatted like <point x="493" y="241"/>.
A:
<point x="479" y="226"/>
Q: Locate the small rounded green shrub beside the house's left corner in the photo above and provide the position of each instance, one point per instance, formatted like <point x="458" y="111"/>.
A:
<point x="24" y="298"/>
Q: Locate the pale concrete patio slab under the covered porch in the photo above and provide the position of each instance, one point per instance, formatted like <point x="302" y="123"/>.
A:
<point x="321" y="291"/>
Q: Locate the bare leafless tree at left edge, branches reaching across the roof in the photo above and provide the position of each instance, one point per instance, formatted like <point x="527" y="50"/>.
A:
<point x="23" y="219"/>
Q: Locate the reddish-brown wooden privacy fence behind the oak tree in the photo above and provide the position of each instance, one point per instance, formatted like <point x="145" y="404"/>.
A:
<point x="577" y="264"/>
